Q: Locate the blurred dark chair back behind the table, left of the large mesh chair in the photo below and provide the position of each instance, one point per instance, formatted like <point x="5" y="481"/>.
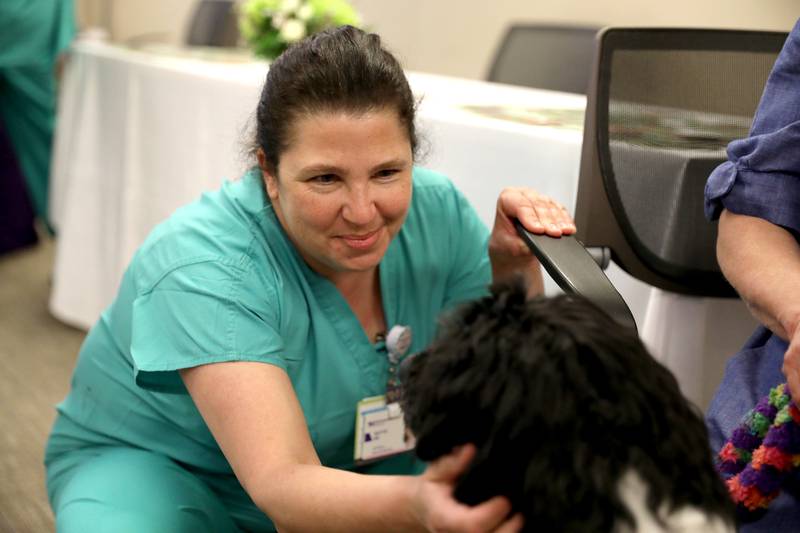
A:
<point x="557" y="58"/>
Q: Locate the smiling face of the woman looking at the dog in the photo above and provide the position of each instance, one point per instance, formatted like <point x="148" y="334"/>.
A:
<point x="343" y="188"/>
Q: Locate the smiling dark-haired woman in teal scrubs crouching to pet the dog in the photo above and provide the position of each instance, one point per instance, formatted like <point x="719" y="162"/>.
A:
<point x="219" y="391"/>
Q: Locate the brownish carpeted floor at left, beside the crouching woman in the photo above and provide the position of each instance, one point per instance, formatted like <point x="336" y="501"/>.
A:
<point x="36" y="357"/>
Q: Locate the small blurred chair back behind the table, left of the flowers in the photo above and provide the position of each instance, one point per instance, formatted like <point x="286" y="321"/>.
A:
<point x="213" y="23"/>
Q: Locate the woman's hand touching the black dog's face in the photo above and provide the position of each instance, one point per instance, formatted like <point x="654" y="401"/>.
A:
<point x="439" y="512"/>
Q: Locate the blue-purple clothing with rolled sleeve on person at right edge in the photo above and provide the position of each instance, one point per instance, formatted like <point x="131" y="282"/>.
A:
<point x="761" y="178"/>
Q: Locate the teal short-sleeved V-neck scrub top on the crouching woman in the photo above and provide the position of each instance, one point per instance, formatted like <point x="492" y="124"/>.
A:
<point x="220" y="281"/>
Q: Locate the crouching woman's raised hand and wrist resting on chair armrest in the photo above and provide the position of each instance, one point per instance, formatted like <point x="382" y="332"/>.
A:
<point x="538" y="214"/>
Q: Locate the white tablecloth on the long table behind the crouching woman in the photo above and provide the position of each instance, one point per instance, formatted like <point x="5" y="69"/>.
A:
<point x="141" y="133"/>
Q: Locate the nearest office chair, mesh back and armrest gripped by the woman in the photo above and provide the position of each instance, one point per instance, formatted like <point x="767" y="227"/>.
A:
<point x="662" y="106"/>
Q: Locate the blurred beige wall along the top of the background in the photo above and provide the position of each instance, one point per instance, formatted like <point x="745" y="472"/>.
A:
<point x="459" y="37"/>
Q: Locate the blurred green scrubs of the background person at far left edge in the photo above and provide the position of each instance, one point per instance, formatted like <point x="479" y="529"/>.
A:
<point x="33" y="33"/>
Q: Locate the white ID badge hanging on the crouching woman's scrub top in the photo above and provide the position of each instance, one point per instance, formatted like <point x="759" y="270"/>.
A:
<point x="380" y="430"/>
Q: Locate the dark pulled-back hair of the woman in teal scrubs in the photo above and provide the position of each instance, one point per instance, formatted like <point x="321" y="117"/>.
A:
<point x="340" y="69"/>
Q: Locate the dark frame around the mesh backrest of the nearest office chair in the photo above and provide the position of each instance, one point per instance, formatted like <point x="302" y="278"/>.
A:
<point x="599" y="205"/>
